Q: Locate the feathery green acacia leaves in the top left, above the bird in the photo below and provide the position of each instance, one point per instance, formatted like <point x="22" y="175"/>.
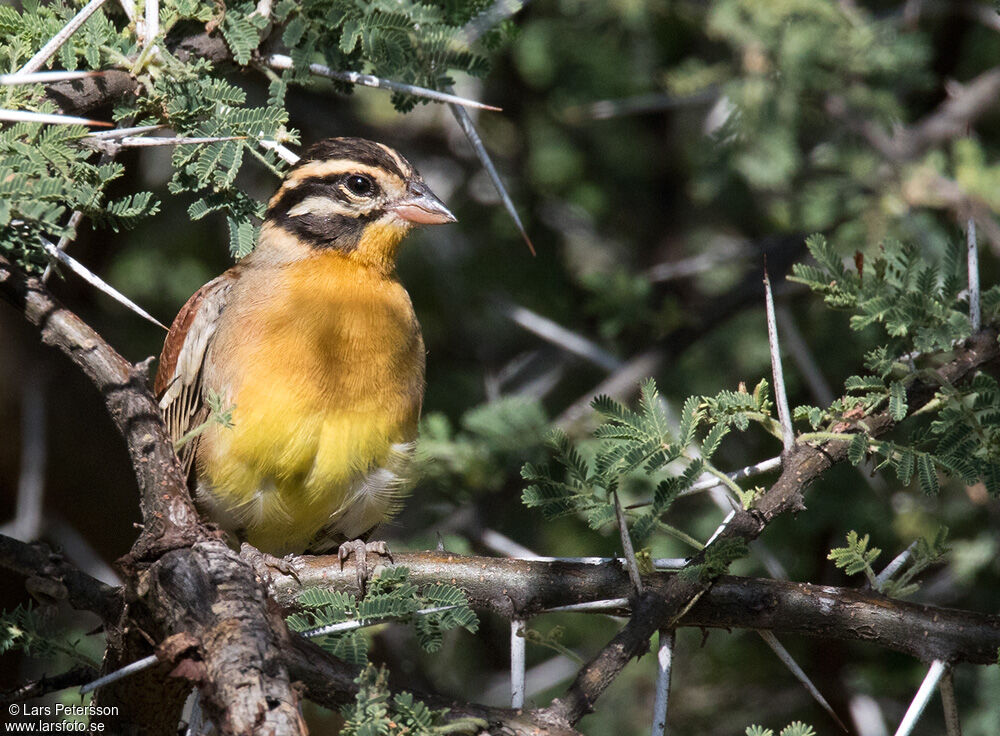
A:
<point x="46" y="173"/>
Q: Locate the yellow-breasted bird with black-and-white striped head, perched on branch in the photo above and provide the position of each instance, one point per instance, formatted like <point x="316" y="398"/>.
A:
<point x="310" y="348"/>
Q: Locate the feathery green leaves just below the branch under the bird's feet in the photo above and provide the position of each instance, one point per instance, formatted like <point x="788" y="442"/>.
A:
<point x="390" y="597"/>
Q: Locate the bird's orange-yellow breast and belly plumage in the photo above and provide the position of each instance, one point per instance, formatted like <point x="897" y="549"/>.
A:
<point x="327" y="372"/>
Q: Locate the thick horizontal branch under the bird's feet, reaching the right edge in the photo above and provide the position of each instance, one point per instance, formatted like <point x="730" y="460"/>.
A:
<point x="524" y="588"/>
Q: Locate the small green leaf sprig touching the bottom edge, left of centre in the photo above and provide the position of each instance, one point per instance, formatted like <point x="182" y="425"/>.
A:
<point x="377" y="712"/>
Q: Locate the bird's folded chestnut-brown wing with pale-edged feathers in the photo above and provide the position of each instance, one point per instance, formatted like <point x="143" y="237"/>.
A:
<point x="178" y="382"/>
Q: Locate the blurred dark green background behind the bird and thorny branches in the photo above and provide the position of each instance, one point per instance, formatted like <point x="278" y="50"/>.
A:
<point x="659" y="153"/>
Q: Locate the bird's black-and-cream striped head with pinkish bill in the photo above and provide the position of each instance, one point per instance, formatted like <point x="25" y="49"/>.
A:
<point x="355" y="196"/>
